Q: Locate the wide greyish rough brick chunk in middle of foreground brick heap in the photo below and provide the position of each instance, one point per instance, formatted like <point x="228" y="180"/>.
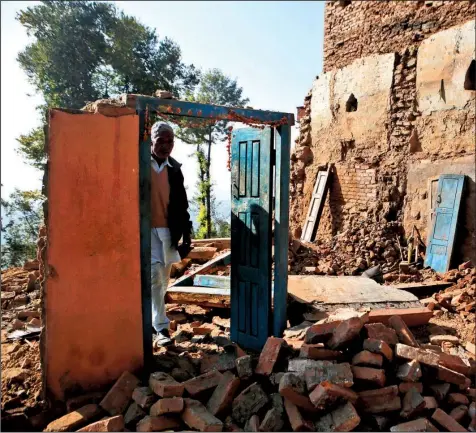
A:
<point x="338" y="374"/>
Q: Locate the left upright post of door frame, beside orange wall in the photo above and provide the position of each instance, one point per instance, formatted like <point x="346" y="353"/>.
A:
<point x="145" y="241"/>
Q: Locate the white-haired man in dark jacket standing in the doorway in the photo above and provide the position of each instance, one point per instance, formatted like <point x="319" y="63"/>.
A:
<point x="170" y="222"/>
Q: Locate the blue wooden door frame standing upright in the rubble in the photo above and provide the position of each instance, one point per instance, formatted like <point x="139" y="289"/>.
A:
<point x="282" y="140"/>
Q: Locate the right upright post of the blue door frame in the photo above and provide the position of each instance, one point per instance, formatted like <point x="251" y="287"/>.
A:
<point x="281" y="230"/>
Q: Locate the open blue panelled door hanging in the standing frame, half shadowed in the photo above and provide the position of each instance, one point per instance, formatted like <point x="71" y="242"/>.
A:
<point x="251" y="201"/>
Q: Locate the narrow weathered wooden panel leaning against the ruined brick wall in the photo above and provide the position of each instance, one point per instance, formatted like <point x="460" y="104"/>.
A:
<point x="316" y="205"/>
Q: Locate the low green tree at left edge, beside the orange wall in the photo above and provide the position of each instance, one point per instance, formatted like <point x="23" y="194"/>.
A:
<point x="23" y="215"/>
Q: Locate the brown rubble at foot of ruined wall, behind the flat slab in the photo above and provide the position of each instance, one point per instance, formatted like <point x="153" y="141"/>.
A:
<point x="351" y="252"/>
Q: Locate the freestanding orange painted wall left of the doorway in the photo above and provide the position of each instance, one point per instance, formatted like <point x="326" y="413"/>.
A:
<point x="93" y="293"/>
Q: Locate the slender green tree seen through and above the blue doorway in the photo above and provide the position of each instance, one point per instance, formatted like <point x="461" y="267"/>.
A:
<point x="219" y="89"/>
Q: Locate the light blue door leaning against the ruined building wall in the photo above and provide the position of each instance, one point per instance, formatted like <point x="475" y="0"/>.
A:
<point x="443" y="224"/>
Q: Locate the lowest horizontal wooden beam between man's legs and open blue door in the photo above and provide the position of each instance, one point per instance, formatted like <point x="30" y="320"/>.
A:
<point x="205" y="297"/>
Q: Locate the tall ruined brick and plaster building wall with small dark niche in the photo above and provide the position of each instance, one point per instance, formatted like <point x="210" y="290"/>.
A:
<point x="394" y="98"/>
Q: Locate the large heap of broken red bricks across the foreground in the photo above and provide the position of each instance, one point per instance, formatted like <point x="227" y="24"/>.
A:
<point x="342" y="375"/>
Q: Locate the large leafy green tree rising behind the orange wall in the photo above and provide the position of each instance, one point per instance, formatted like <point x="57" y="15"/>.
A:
<point x="86" y="50"/>
